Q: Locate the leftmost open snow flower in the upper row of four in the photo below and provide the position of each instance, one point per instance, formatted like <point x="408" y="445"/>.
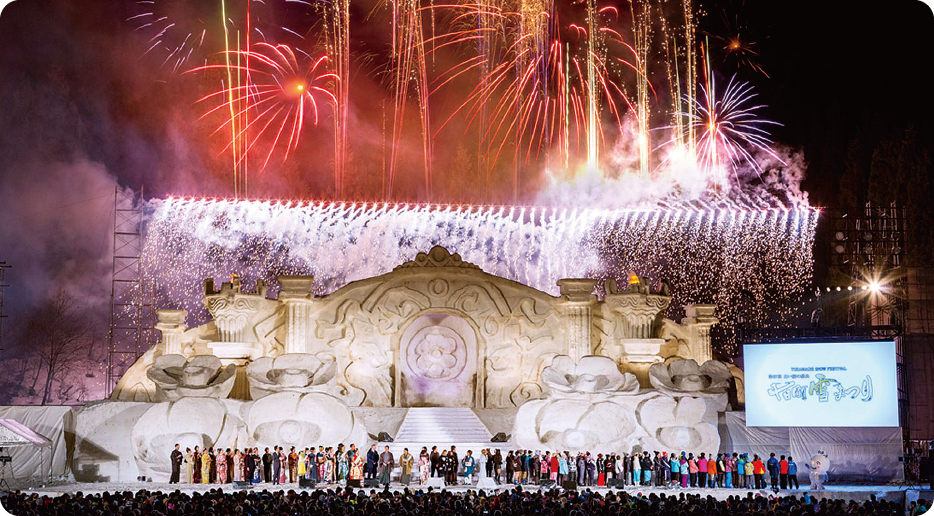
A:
<point x="203" y="376"/>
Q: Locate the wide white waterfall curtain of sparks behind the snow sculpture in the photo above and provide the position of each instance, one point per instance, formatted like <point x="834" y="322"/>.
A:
<point x="709" y="252"/>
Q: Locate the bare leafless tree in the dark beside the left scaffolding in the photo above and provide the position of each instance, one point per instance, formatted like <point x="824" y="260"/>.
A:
<point x="58" y="333"/>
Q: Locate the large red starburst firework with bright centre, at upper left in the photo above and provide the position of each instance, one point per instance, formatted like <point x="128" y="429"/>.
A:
<point x="282" y="91"/>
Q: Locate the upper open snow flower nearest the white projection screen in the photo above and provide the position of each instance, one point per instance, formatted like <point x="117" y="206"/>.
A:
<point x="683" y="377"/>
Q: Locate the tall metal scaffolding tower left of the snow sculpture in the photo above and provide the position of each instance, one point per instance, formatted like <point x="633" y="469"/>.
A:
<point x="131" y="313"/>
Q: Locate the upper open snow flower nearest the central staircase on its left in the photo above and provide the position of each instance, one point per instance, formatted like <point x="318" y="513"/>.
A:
<point x="294" y="372"/>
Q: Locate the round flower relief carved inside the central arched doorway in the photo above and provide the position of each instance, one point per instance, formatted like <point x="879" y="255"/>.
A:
<point x="438" y="353"/>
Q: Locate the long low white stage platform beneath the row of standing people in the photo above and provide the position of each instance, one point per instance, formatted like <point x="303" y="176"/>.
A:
<point x="898" y="493"/>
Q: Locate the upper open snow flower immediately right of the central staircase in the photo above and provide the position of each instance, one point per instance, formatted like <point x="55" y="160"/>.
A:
<point x="593" y="376"/>
